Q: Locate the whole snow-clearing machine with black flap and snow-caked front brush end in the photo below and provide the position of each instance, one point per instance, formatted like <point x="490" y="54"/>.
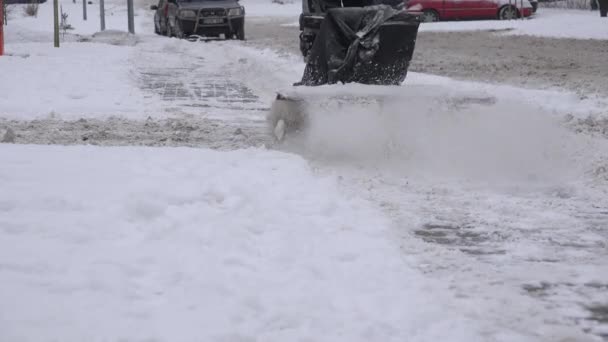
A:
<point x="366" y="42"/>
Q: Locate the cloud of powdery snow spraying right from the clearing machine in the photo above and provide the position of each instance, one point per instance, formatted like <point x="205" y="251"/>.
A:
<point x="445" y="134"/>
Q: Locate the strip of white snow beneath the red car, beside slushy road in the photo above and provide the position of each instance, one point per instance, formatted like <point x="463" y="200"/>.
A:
<point x="546" y="23"/>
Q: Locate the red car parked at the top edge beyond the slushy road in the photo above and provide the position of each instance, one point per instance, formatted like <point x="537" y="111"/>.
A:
<point x="434" y="10"/>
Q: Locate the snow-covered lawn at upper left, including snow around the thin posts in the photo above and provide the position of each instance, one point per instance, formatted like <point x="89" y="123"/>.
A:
<point x="78" y="79"/>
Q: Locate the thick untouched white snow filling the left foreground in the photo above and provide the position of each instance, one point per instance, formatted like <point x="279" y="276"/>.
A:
<point x="184" y="244"/>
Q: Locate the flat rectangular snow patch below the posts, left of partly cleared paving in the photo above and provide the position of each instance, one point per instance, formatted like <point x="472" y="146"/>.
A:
<point x="77" y="80"/>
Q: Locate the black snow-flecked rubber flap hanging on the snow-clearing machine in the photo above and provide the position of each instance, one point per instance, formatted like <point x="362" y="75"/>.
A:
<point x="369" y="45"/>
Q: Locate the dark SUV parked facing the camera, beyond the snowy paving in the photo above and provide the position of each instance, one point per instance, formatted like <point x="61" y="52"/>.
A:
<point x="206" y="18"/>
